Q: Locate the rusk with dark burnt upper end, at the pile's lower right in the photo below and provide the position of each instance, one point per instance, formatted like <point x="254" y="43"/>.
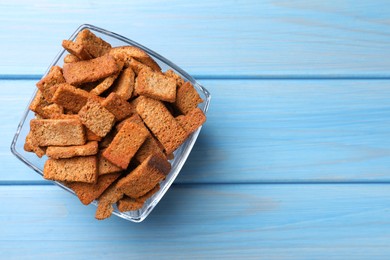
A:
<point x="145" y="177"/>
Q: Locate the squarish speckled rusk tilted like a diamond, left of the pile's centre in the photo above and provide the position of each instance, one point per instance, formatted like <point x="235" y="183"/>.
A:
<point x="96" y="118"/>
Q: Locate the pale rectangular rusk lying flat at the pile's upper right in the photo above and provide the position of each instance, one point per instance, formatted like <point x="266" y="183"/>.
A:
<point x="156" y="85"/>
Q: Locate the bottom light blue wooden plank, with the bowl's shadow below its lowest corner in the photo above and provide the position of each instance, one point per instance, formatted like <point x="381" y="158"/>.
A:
<point x="199" y="221"/>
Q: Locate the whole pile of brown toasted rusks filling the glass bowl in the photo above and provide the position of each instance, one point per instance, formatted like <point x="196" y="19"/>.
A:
<point x="109" y="122"/>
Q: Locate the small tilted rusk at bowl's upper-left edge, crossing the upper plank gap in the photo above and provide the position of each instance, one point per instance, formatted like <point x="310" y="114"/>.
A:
<point x="48" y="84"/>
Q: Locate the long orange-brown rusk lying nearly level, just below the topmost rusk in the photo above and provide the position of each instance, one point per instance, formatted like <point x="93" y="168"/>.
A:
<point x="79" y="72"/>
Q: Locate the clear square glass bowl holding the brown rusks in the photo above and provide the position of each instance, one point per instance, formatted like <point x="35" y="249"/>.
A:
<point x="180" y="155"/>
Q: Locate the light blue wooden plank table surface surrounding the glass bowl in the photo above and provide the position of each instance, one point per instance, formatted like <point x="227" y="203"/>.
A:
<point x="293" y="162"/>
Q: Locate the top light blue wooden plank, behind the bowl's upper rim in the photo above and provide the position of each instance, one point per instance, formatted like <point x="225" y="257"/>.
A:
<point x="212" y="37"/>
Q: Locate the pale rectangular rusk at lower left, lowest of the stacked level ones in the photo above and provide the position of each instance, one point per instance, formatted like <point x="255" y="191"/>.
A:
<point x="76" y="169"/>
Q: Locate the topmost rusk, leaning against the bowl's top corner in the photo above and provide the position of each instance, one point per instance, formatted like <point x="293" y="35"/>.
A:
<point x="94" y="45"/>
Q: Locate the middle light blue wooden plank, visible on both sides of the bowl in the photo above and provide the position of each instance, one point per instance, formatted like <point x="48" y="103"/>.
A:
<point x="265" y="131"/>
